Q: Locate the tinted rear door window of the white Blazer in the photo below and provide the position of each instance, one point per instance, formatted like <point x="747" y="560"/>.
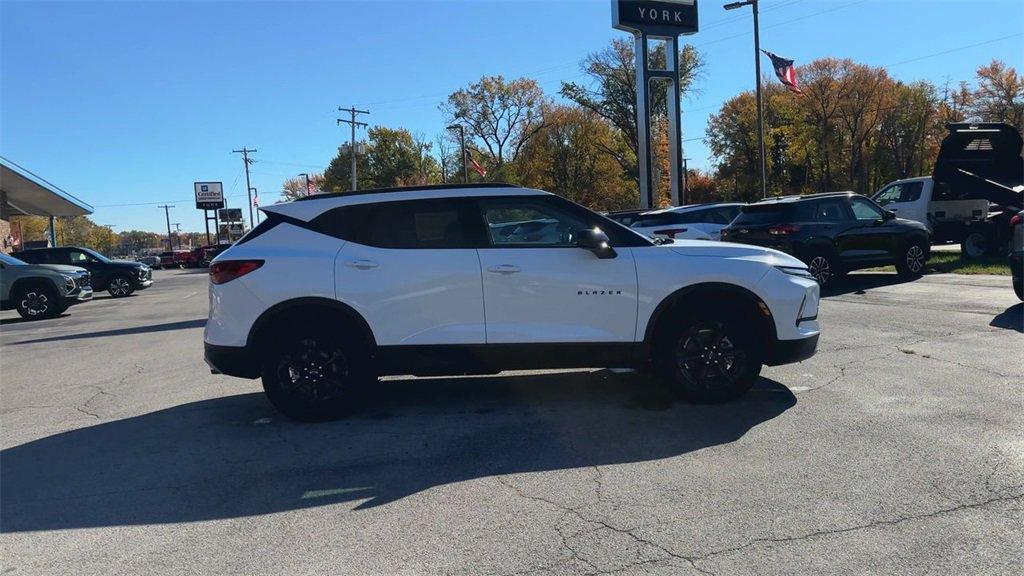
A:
<point x="419" y="224"/>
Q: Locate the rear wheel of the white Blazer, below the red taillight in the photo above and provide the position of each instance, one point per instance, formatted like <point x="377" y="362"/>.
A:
<point x="314" y="376"/>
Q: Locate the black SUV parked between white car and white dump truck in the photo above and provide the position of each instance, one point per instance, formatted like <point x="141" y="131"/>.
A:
<point x="834" y="233"/>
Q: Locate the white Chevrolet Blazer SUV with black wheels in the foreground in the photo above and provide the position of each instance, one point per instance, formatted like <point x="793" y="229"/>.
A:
<point x="331" y="292"/>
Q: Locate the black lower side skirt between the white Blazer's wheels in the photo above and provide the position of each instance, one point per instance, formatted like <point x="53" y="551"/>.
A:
<point x="453" y="360"/>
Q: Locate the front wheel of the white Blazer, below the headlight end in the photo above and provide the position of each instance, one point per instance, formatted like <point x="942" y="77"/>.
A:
<point x="710" y="358"/>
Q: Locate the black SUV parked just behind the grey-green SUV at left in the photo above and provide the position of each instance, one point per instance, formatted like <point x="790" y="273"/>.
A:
<point x="120" y="278"/>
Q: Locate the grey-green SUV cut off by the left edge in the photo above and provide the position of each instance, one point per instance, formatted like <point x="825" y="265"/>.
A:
<point x="41" y="292"/>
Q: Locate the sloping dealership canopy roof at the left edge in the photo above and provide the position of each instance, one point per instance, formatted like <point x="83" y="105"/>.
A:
<point x="27" y="194"/>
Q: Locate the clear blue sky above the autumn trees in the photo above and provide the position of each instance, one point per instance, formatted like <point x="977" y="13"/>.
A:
<point x="131" y="103"/>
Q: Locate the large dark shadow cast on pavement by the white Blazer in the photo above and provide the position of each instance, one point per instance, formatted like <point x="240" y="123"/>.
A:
<point x="235" y="457"/>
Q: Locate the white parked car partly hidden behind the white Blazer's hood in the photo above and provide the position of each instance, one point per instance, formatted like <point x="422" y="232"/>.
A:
<point x="697" y="222"/>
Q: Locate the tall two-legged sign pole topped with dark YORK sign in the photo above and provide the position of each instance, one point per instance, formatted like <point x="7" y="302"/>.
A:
<point x="666" y="21"/>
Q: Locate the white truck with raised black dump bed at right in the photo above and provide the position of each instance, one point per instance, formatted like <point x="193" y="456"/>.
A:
<point x="973" y="193"/>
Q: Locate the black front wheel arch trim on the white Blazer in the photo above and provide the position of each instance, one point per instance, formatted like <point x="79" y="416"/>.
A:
<point x="703" y="293"/>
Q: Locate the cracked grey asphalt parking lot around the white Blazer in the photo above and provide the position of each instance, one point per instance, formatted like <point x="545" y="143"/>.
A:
<point x="900" y="448"/>
